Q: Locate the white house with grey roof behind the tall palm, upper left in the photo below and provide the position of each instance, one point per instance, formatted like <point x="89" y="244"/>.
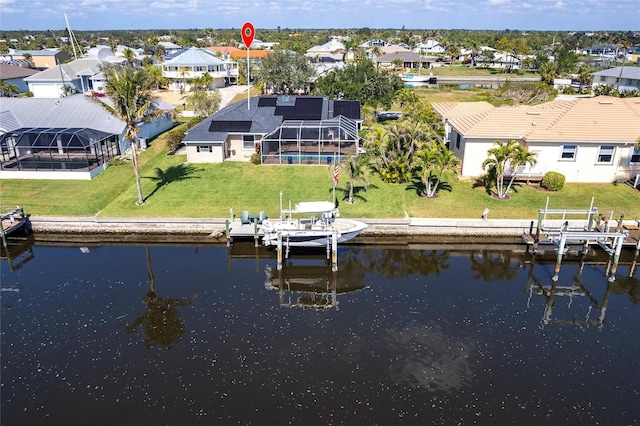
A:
<point x="79" y="76"/>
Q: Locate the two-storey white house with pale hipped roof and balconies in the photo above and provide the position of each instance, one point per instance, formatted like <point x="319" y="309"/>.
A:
<point x="193" y="63"/>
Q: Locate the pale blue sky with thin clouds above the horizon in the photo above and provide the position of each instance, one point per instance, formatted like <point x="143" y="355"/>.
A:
<point x="578" y="15"/>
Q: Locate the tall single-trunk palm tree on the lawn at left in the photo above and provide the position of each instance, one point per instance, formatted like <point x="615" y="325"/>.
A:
<point x="130" y="92"/>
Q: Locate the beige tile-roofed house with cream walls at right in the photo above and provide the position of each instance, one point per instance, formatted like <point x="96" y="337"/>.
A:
<point x="585" y="139"/>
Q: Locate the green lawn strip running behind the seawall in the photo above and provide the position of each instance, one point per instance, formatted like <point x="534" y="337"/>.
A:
<point x="210" y="190"/>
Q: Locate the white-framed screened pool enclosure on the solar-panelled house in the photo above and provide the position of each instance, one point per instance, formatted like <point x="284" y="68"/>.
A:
<point x="310" y="142"/>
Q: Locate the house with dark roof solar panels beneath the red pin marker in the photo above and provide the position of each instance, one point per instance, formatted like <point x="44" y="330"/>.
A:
<point x="309" y="130"/>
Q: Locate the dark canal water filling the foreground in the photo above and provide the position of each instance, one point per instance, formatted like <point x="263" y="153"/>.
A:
<point x="181" y="334"/>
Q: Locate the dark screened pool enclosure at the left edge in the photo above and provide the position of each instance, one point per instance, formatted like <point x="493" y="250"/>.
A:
<point x="56" y="149"/>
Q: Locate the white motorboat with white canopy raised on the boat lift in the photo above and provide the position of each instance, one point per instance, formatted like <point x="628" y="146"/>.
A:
<point x="310" y="224"/>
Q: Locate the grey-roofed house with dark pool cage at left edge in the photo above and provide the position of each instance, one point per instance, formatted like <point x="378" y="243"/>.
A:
<point x="66" y="138"/>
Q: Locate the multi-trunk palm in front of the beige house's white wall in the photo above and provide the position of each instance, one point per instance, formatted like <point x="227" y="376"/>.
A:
<point x="503" y="156"/>
